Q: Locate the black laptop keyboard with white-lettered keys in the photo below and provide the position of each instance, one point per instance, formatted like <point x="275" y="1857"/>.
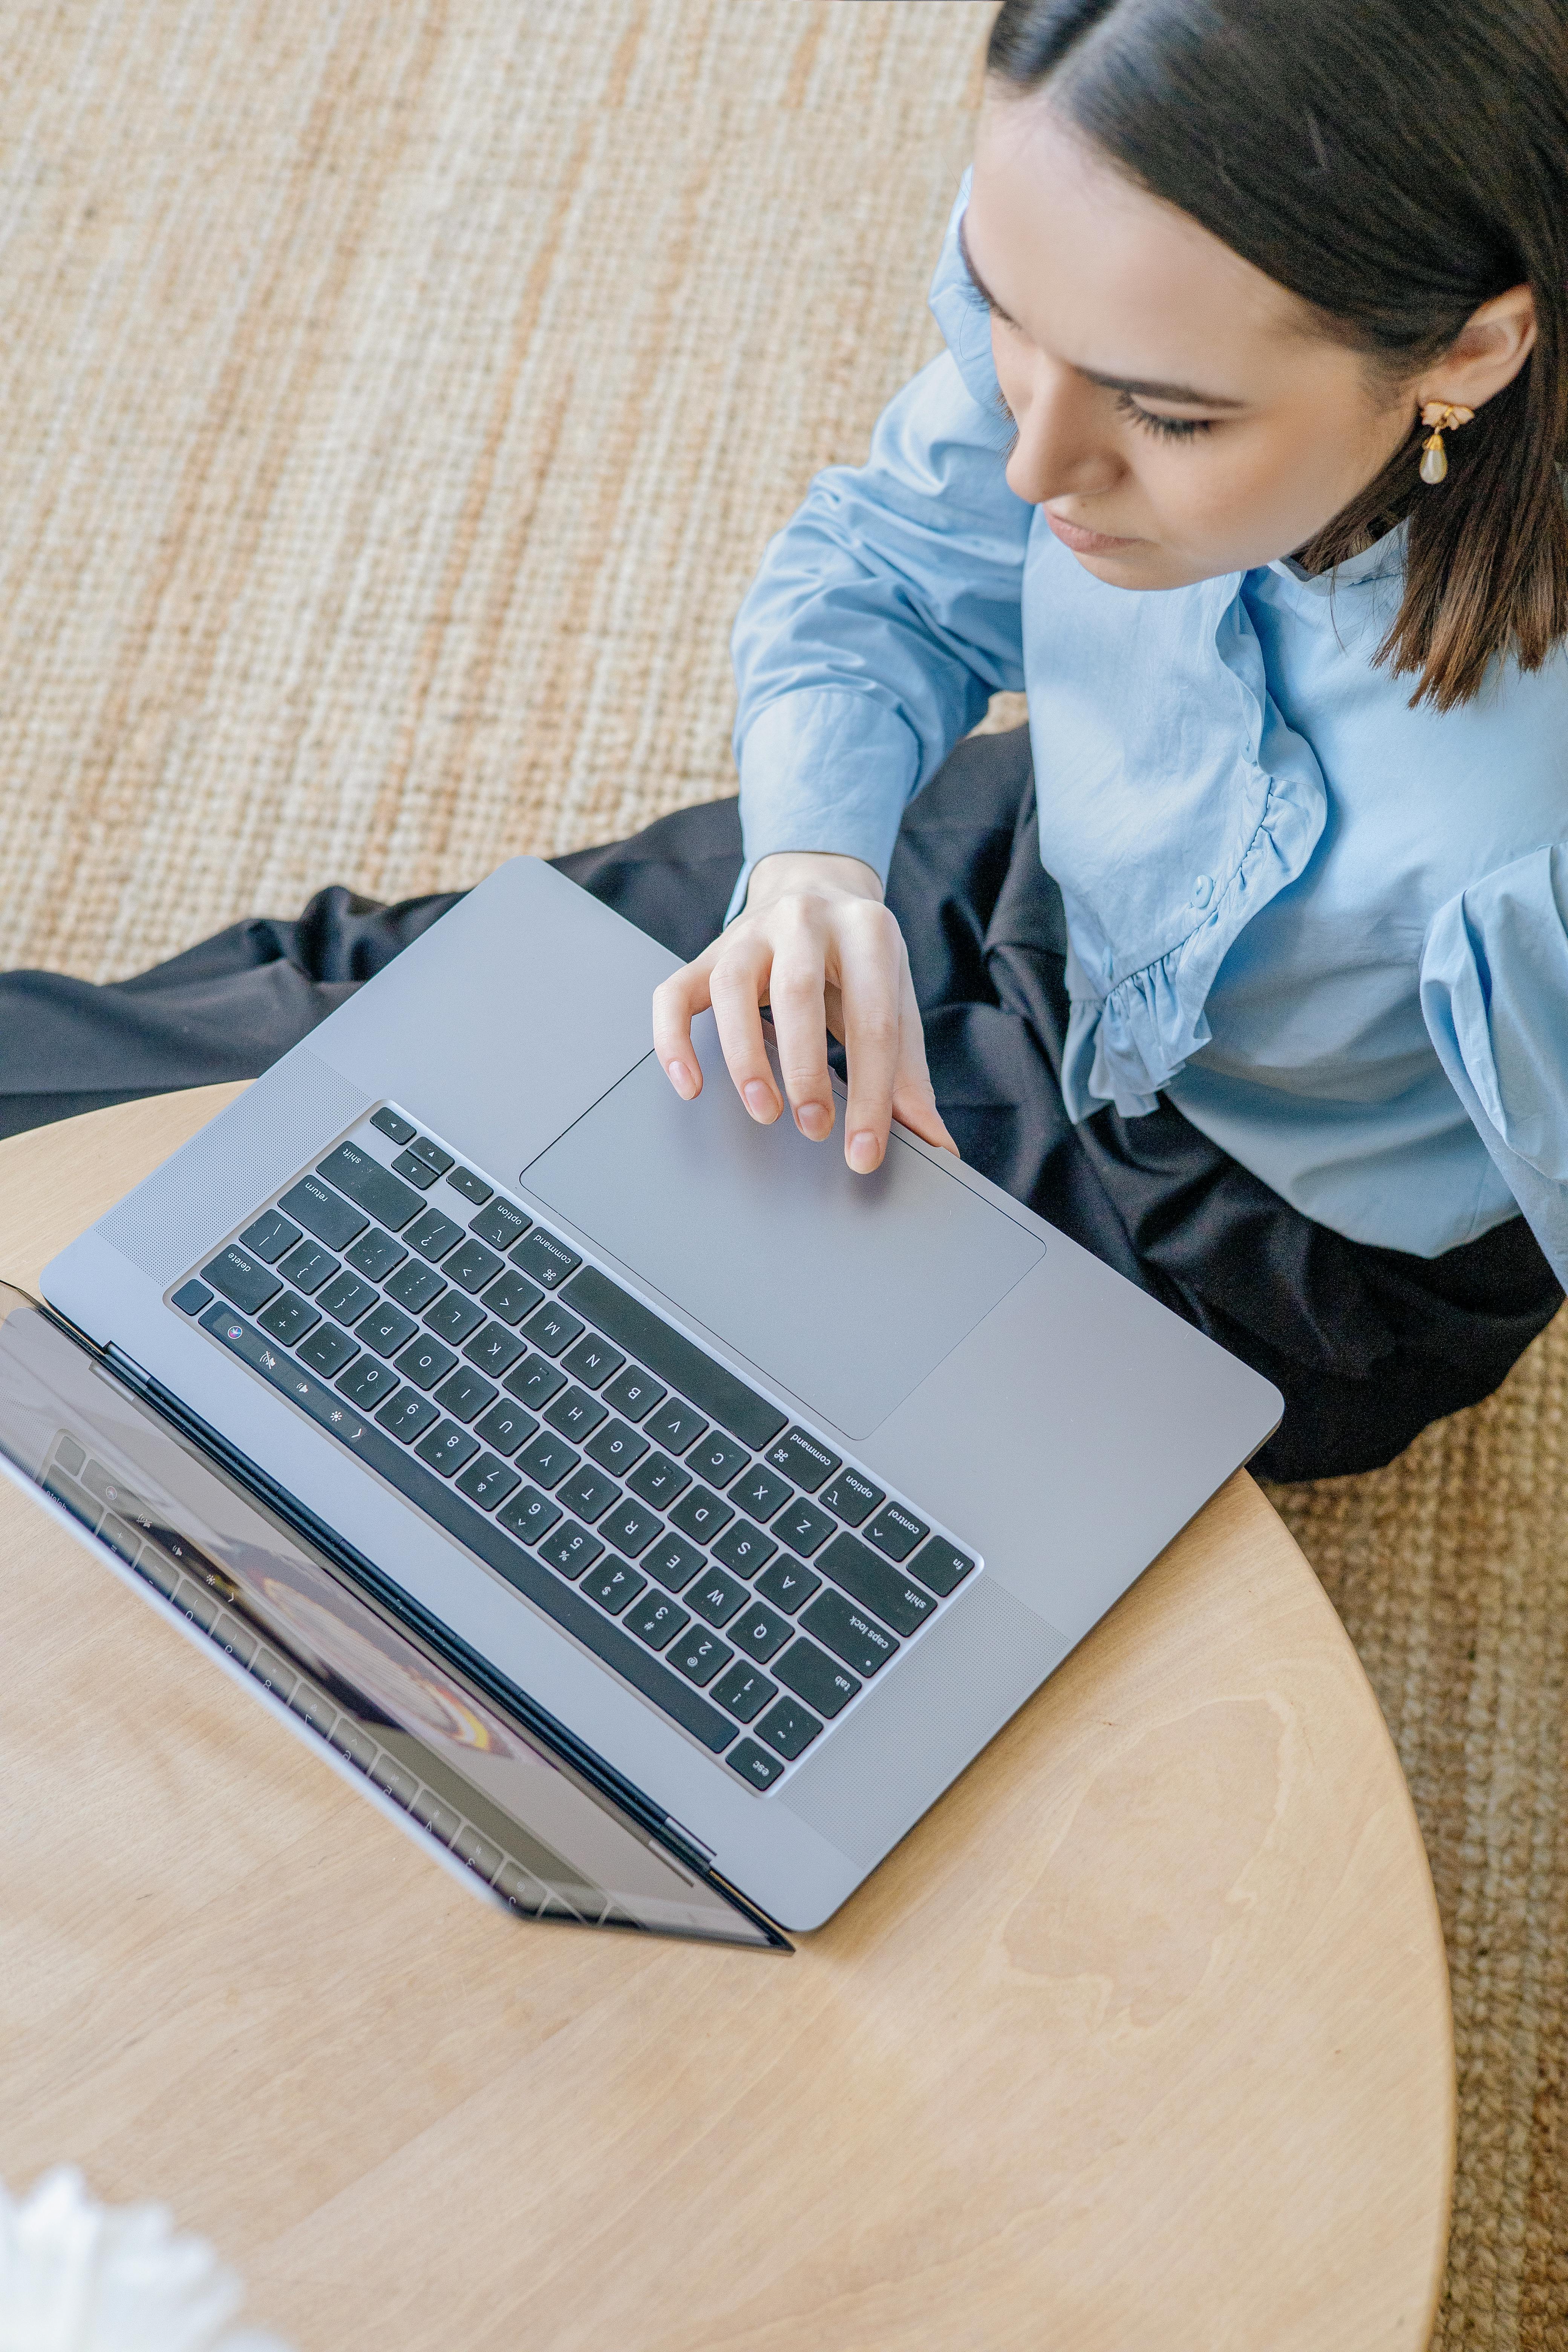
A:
<point x="723" y="1558"/>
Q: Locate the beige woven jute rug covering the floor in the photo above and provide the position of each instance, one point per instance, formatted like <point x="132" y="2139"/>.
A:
<point x="396" y="403"/>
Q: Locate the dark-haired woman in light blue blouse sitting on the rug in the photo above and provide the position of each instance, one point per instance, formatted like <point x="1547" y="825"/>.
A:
<point x="1247" y="965"/>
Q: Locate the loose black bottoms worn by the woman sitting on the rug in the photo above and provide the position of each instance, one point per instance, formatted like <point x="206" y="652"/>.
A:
<point x="1365" y="1344"/>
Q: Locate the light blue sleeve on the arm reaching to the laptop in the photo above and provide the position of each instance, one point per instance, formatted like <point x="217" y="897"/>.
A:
<point x="887" y="613"/>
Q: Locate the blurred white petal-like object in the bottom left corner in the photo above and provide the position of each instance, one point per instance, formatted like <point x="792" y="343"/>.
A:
<point x="88" y="2278"/>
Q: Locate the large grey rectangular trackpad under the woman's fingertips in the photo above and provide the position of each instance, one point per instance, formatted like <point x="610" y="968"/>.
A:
<point x="847" y="1290"/>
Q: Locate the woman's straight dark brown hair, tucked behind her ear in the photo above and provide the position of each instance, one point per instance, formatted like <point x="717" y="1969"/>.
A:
<point x="1395" y="166"/>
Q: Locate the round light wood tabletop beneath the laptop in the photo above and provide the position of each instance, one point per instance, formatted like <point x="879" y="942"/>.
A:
<point x="1139" y="2040"/>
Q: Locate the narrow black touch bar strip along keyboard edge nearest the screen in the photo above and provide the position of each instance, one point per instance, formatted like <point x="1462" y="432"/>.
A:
<point x="478" y="1535"/>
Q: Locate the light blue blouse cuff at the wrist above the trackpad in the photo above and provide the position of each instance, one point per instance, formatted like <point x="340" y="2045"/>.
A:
<point x="824" y="770"/>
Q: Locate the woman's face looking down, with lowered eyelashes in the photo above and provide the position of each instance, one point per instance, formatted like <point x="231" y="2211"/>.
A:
<point x="1177" y="410"/>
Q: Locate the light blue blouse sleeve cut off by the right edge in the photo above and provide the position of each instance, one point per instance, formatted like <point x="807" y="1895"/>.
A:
<point x="1494" y="989"/>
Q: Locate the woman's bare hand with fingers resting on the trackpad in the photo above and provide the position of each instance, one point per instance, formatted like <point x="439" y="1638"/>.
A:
<point x="817" y="947"/>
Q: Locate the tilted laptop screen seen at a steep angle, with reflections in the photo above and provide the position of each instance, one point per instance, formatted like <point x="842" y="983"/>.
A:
<point x="474" y="1779"/>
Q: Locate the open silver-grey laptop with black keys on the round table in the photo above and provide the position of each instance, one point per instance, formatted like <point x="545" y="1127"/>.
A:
<point x="669" y="1511"/>
